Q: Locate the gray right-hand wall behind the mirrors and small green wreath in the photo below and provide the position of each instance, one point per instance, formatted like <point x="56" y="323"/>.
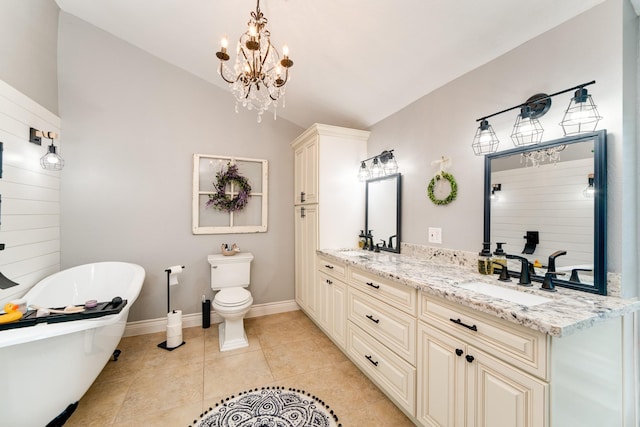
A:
<point x="443" y="124"/>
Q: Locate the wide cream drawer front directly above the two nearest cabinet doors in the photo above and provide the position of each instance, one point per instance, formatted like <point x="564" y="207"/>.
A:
<point x="515" y="344"/>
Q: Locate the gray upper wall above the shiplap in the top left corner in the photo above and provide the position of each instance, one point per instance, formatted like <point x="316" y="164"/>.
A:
<point x="28" y="40"/>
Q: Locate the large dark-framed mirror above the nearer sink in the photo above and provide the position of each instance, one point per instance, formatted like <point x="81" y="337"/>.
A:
<point x="551" y="197"/>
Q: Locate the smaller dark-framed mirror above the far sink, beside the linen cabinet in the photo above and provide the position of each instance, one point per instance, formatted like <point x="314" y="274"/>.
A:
<point x="382" y="211"/>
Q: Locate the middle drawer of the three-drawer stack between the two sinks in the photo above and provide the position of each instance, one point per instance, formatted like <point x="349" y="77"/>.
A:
<point x="392" y="327"/>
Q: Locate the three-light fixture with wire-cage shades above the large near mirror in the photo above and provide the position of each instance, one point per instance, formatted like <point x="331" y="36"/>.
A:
<point x="581" y="116"/>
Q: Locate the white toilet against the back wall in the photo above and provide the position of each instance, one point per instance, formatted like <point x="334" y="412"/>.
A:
<point x="229" y="277"/>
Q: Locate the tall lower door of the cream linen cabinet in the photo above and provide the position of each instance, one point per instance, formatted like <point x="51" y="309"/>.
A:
<point x="306" y="241"/>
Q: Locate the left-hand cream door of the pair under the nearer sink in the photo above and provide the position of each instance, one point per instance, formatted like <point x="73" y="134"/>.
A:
<point x="441" y="378"/>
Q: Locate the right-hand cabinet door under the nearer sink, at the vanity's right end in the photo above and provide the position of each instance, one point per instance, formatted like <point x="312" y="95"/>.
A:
<point x="502" y="396"/>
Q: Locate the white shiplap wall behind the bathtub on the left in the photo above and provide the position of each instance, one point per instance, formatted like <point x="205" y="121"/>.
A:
<point x="30" y="209"/>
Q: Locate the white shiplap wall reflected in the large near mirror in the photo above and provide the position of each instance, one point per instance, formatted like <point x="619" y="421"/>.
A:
<point x="551" y="198"/>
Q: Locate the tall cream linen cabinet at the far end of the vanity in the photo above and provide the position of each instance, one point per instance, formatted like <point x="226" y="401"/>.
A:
<point x="328" y="201"/>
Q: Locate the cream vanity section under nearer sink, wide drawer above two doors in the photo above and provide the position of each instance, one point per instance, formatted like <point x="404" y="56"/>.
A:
<point x="477" y="371"/>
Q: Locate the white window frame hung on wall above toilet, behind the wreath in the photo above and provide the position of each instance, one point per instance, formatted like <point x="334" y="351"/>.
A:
<point x="201" y="188"/>
